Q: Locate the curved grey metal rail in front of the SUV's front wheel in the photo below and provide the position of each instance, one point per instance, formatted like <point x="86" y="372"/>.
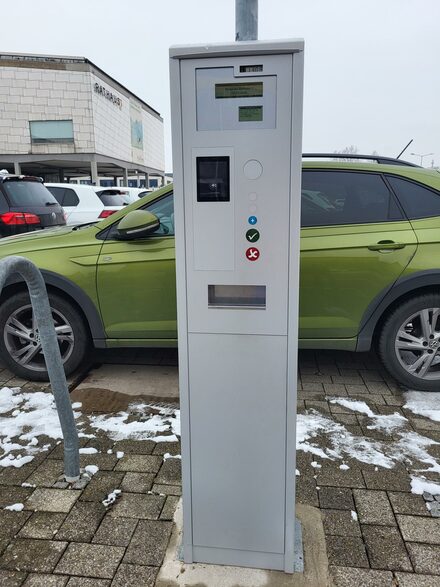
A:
<point x="42" y="315"/>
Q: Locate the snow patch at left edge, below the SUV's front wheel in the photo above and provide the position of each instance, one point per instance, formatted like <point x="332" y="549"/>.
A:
<point x="25" y="416"/>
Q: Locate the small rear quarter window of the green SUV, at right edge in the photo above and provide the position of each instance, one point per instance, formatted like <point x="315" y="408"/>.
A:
<point x="418" y="201"/>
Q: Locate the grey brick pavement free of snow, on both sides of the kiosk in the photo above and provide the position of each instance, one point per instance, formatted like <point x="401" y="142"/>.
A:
<point x="69" y="538"/>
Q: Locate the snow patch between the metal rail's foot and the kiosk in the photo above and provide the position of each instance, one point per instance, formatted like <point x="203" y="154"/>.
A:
<point x="138" y="423"/>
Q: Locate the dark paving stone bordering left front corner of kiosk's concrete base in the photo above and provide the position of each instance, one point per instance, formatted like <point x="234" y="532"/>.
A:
<point x="149" y="543"/>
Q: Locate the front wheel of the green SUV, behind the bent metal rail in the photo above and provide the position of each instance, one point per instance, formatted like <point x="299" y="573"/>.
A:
<point x="16" y="320"/>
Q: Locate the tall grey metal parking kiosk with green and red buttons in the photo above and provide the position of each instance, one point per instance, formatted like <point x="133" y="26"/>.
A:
<point x="237" y="123"/>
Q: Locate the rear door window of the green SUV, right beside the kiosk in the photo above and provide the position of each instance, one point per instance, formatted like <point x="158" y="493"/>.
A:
<point x="345" y="197"/>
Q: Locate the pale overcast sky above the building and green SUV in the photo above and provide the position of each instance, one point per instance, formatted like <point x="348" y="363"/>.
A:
<point x="371" y="67"/>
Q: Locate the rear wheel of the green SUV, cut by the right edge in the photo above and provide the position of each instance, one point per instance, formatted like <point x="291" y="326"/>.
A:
<point x="409" y="343"/>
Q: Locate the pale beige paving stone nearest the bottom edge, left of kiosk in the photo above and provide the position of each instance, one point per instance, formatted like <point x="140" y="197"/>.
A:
<point x="90" y="560"/>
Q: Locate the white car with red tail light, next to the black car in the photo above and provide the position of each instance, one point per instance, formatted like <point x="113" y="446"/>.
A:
<point x="82" y="203"/>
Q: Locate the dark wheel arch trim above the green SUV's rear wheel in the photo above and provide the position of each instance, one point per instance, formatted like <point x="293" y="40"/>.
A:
<point x="377" y="308"/>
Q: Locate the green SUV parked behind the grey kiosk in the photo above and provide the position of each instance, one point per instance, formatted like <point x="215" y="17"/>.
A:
<point x="370" y="273"/>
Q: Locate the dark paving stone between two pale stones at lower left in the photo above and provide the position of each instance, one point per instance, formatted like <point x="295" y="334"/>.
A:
<point x="82" y="522"/>
